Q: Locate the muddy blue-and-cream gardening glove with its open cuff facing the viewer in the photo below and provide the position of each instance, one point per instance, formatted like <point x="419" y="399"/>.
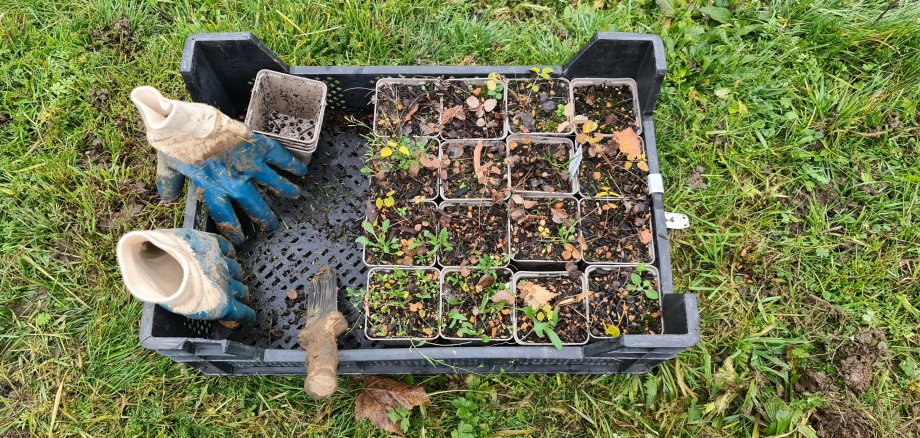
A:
<point x="186" y="271"/>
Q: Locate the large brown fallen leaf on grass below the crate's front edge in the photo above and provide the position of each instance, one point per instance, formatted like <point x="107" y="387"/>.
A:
<point x="382" y="395"/>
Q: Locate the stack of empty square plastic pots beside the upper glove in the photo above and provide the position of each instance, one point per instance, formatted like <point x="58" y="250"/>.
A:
<point x="288" y="109"/>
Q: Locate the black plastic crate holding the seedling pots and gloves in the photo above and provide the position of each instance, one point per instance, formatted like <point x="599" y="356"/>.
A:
<point x="320" y="228"/>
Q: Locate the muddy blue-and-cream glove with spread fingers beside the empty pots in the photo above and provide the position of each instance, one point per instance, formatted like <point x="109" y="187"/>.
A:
<point x="220" y="155"/>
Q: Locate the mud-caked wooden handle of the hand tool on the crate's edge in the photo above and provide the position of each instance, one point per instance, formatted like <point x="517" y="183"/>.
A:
<point x="322" y="354"/>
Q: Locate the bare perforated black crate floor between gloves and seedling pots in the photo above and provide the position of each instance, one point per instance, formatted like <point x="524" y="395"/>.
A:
<point x="318" y="228"/>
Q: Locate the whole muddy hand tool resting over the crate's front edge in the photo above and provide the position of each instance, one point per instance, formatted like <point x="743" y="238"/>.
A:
<point x="322" y="324"/>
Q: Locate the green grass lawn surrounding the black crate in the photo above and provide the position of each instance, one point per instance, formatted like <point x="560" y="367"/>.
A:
<point x="789" y="131"/>
